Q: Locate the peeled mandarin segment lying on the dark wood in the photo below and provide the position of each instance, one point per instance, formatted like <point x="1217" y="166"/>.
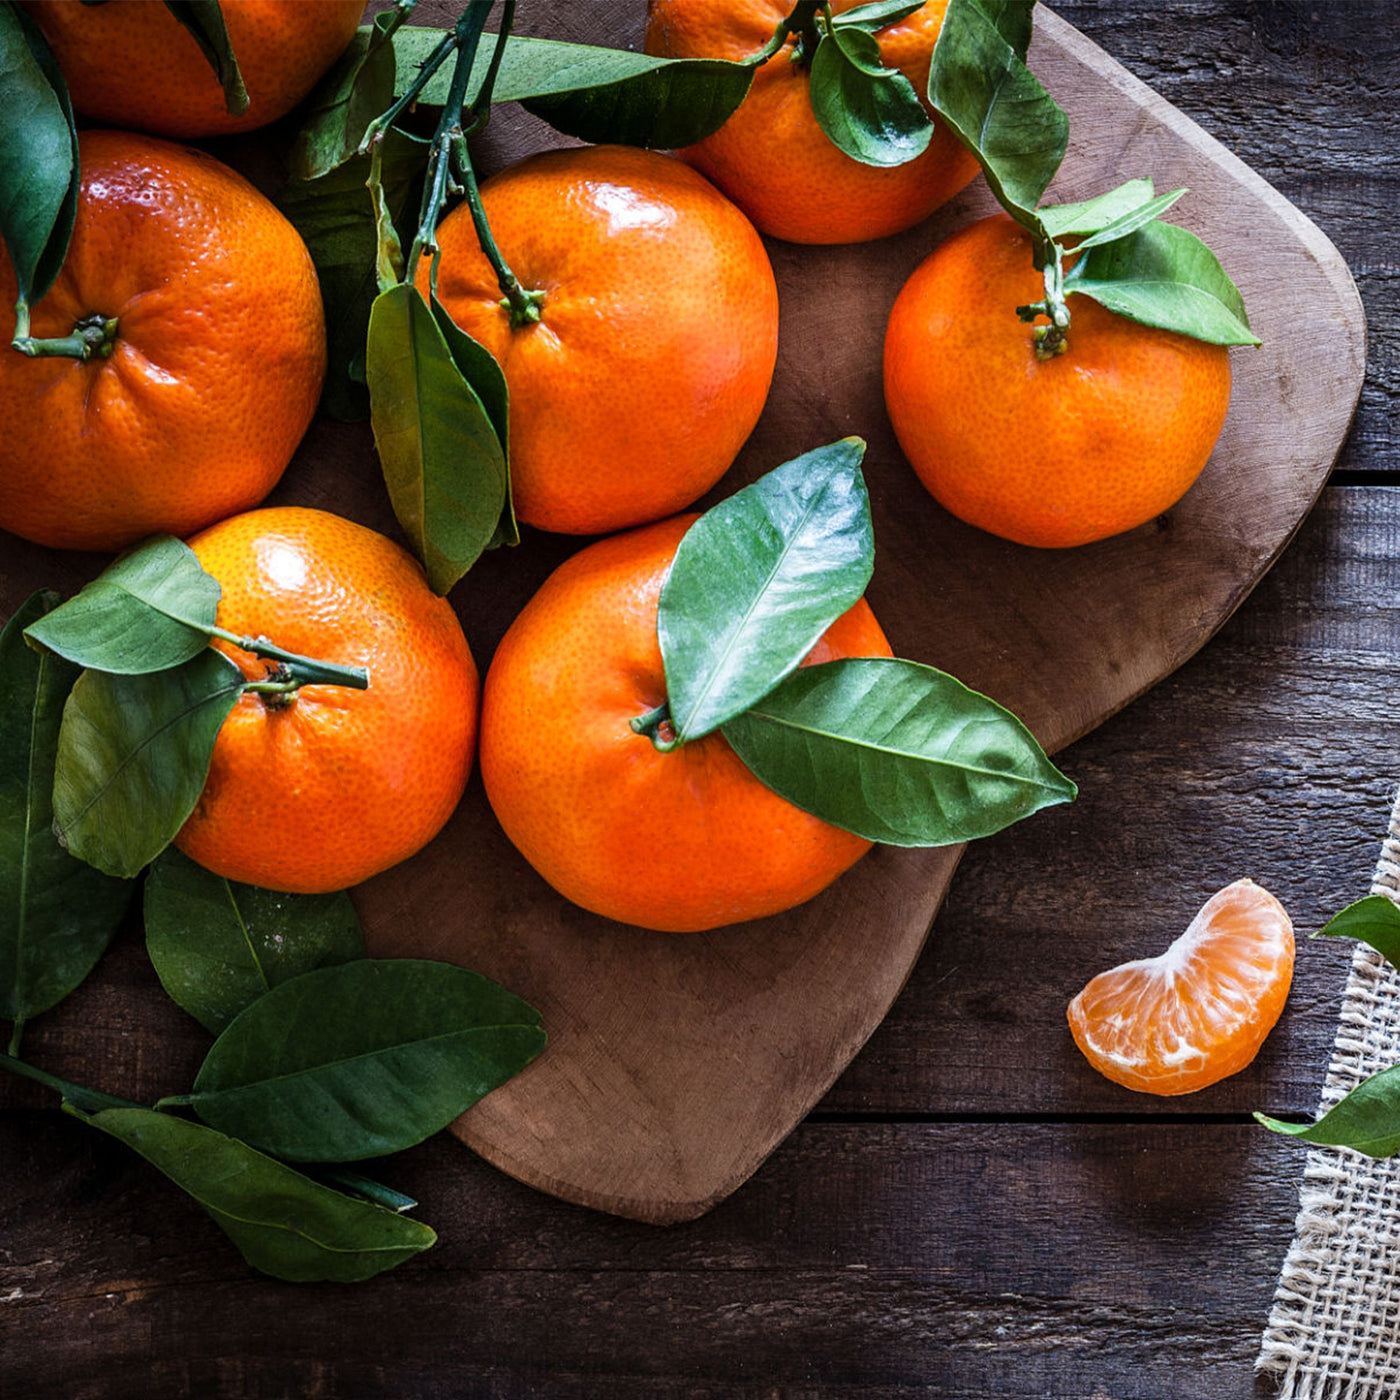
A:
<point x="1200" y="1011"/>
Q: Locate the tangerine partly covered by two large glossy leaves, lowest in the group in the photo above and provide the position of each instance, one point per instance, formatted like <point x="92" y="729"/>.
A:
<point x="678" y="842"/>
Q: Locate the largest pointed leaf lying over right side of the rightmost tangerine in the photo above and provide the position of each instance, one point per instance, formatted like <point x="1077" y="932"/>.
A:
<point x="1165" y="276"/>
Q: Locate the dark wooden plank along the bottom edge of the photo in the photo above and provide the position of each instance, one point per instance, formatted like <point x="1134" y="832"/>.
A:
<point x="869" y="1263"/>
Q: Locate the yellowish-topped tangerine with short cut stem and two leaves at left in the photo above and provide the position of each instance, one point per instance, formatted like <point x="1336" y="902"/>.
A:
<point x="323" y="790"/>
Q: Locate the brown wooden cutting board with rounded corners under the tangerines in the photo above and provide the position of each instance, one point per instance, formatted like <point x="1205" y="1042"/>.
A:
<point x="677" y="1063"/>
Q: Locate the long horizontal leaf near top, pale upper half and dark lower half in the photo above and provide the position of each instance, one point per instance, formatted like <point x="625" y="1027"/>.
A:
<point x="593" y="93"/>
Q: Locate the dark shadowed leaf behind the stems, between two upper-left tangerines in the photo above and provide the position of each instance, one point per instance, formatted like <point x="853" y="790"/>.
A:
<point x="337" y="220"/>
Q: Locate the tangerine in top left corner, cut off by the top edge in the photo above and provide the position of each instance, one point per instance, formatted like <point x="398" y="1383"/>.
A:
<point x="135" y="65"/>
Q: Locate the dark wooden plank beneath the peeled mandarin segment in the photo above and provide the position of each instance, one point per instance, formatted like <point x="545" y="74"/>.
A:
<point x="1272" y="755"/>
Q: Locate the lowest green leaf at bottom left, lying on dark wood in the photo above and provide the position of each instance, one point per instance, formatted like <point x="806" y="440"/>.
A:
<point x="283" y="1223"/>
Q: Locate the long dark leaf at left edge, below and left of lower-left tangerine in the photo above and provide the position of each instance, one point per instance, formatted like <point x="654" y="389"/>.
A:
<point x="57" y="913"/>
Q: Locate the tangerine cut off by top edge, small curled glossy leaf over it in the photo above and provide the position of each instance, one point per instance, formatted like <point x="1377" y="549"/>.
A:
<point x="773" y="159"/>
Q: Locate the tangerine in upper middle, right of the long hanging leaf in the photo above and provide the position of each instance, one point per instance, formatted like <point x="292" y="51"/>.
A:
<point x="656" y="342"/>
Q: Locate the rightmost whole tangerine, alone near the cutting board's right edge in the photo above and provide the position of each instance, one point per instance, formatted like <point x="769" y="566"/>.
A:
<point x="1044" y="449"/>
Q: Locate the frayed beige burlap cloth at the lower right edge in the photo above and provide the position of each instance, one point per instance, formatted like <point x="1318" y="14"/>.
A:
<point x="1335" y="1328"/>
